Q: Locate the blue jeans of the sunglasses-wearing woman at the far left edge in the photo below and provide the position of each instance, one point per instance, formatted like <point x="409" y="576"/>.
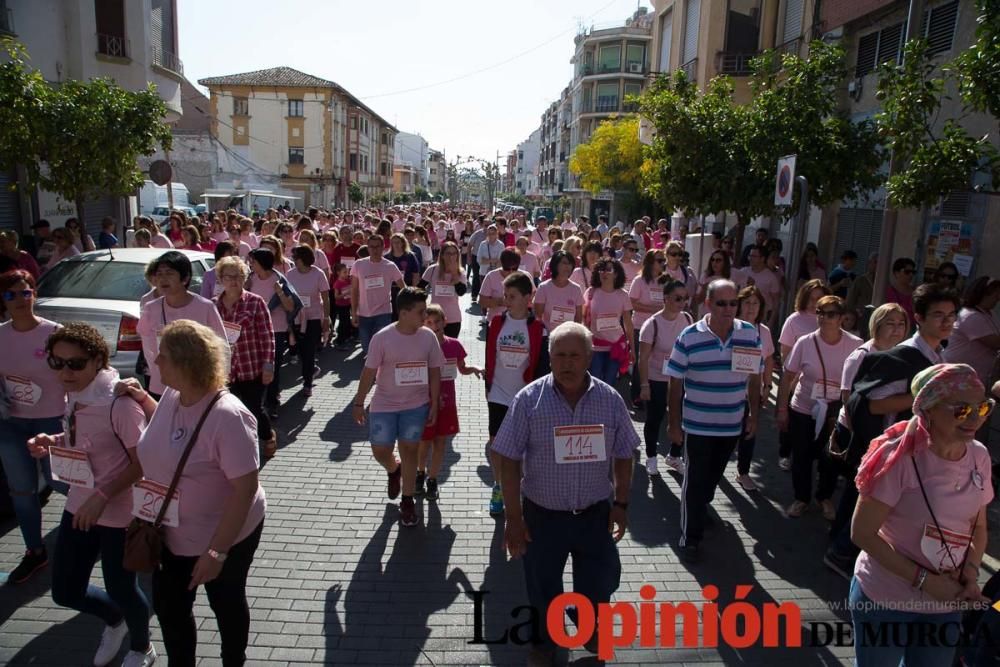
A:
<point x="22" y="472"/>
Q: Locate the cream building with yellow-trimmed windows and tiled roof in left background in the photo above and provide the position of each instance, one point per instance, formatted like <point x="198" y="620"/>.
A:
<point x="310" y="132"/>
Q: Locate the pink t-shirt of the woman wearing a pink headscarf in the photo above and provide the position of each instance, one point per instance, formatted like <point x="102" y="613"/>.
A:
<point x="956" y="490"/>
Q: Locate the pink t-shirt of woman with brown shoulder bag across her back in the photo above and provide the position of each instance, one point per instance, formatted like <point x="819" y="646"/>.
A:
<point x="226" y="450"/>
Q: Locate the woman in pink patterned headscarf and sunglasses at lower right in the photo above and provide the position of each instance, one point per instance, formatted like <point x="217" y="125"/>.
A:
<point x="920" y="522"/>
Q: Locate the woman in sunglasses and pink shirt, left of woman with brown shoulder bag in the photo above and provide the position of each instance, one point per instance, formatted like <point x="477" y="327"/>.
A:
<point x="93" y="450"/>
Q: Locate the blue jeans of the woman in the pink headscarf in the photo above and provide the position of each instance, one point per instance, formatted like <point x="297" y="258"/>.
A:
<point x="900" y="643"/>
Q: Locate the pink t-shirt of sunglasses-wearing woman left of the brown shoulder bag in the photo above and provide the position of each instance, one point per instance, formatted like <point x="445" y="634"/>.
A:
<point x="96" y="429"/>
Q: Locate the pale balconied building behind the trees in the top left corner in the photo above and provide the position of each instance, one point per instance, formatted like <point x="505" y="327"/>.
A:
<point x="82" y="40"/>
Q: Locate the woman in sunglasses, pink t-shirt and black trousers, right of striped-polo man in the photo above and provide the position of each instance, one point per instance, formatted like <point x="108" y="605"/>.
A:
<point x="815" y="367"/>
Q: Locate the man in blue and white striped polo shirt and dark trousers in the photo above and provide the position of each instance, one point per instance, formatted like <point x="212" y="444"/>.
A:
<point x="709" y="369"/>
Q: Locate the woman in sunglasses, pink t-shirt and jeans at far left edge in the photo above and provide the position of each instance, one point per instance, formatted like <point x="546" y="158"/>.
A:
<point x="33" y="400"/>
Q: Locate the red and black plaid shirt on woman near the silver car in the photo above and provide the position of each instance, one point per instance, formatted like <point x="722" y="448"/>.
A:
<point x="255" y="346"/>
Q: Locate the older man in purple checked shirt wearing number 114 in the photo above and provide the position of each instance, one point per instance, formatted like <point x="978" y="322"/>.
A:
<point x="566" y="468"/>
